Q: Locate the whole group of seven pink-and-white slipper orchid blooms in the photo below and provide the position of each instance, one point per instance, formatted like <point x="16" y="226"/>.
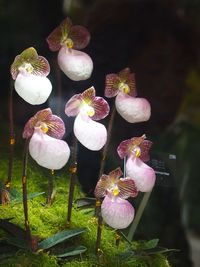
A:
<point x="45" y="131"/>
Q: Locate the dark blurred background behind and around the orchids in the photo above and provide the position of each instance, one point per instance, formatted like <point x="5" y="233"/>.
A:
<point x="159" y="41"/>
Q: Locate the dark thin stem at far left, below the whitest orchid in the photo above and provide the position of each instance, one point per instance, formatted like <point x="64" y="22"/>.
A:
<point x="6" y="191"/>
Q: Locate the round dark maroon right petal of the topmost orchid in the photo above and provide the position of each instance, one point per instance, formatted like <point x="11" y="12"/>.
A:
<point x="80" y="36"/>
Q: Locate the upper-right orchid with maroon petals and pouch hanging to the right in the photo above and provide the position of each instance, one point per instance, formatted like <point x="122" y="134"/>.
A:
<point x="122" y="85"/>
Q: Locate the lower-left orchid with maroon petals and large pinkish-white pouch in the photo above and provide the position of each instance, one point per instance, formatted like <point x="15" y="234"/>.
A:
<point x="45" y="131"/>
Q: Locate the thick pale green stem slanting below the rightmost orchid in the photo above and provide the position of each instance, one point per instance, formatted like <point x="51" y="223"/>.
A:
<point x="138" y="216"/>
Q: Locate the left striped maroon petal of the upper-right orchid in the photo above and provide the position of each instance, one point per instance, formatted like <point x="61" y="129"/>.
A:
<point x="111" y="87"/>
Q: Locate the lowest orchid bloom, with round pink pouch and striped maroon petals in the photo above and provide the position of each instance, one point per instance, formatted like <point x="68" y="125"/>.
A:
<point x="116" y="211"/>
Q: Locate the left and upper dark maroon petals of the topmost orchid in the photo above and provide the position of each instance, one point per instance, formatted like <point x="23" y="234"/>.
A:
<point x="57" y="37"/>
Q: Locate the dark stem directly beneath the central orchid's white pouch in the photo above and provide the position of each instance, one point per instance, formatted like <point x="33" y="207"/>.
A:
<point x="73" y="176"/>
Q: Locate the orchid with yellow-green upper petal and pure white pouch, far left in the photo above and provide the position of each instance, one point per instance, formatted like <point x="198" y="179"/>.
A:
<point x="29" y="72"/>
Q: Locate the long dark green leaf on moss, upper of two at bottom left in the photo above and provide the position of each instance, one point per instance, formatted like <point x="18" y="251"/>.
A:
<point x="60" y="237"/>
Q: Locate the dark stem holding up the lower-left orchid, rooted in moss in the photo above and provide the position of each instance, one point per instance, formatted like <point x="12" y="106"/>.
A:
<point x="24" y="189"/>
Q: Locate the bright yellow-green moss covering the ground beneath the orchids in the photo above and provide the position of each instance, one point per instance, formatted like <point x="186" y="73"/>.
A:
<point x="47" y="220"/>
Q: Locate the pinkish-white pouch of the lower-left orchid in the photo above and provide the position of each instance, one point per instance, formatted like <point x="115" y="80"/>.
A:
<point x="47" y="151"/>
